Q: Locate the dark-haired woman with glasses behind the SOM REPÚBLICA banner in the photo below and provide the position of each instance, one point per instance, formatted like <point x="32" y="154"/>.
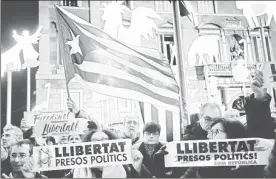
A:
<point x="224" y="129"/>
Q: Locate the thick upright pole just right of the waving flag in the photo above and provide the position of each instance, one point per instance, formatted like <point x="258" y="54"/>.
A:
<point x="180" y="61"/>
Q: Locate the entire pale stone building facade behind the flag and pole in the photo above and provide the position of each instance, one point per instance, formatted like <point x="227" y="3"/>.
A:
<point x="208" y="65"/>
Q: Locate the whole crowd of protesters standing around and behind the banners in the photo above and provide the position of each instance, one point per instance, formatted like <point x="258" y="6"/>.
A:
<point x="148" y="153"/>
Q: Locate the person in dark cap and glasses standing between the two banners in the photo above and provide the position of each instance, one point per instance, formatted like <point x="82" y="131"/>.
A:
<point x="150" y="145"/>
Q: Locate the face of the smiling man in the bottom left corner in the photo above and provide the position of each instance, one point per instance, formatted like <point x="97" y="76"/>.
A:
<point x="19" y="156"/>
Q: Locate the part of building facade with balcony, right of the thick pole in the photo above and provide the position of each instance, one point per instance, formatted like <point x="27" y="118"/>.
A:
<point x="212" y="47"/>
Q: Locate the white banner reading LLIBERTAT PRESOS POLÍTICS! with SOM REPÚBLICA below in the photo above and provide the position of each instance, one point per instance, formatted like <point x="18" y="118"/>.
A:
<point x="227" y="152"/>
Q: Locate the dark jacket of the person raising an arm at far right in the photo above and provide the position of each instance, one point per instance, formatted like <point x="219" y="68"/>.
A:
<point x="258" y="116"/>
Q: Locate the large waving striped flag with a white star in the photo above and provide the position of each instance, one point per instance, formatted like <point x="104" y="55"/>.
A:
<point x="107" y="66"/>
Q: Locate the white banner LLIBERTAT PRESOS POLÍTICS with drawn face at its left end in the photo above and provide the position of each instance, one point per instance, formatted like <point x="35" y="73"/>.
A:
<point x="79" y="155"/>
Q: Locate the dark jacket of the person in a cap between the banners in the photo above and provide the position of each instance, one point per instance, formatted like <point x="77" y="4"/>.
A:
<point x="148" y="159"/>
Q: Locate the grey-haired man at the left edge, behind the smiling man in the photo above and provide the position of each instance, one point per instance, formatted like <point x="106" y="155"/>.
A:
<point x="10" y="136"/>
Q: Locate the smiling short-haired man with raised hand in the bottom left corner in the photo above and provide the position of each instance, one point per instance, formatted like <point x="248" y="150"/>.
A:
<point x="22" y="161"/>
